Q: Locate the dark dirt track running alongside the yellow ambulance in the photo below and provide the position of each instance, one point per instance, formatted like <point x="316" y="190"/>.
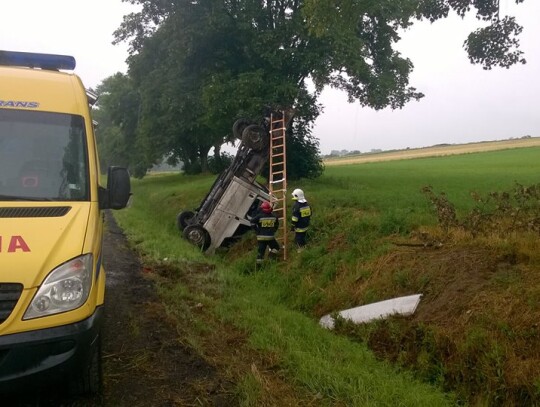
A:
<point x="145" y="362"/>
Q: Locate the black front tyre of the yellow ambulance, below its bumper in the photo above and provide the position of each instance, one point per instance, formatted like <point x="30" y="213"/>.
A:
<point x="89" y="380"/>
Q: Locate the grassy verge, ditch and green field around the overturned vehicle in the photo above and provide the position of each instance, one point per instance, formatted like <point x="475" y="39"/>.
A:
<point x="376" y="235"/>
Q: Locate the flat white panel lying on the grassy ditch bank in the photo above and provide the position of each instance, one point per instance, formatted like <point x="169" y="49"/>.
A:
<point x="378" y="310"/>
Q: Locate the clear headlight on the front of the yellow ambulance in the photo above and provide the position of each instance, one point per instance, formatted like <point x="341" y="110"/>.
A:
<point x="65" y="288"/>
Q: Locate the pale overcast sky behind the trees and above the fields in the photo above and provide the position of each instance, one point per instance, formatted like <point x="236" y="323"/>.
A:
<point x="463" y="103"/>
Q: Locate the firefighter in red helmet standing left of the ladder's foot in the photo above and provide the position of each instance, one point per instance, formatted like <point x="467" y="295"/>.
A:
<point x="266" y="224"/>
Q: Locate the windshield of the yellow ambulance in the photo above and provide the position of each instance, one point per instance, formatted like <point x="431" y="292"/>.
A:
<point x="42" y="156"/>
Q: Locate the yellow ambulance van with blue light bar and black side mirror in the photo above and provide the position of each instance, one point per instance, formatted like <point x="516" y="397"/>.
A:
<point x="52" y="281"/>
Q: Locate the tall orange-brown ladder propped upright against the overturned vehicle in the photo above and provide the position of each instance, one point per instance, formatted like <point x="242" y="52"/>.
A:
<point x="278" y="175"/>
